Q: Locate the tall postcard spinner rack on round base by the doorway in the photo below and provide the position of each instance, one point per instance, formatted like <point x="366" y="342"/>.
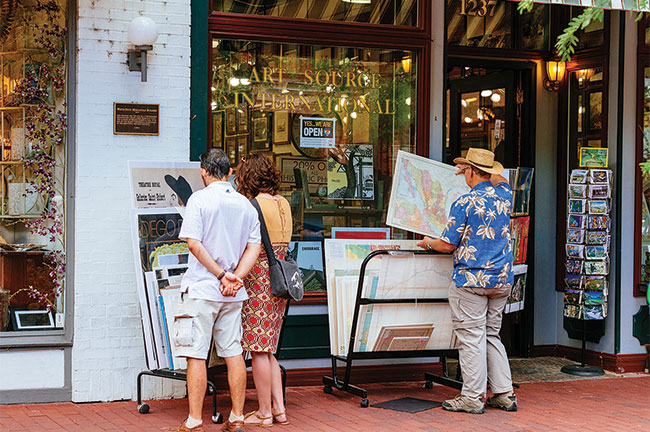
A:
<point x="587" y="253"/>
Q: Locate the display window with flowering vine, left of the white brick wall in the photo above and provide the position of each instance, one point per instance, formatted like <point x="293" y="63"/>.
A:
<point x="32" y="166"/>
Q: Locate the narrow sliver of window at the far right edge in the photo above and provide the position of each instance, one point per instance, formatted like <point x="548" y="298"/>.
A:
<point x="645" y="181"/>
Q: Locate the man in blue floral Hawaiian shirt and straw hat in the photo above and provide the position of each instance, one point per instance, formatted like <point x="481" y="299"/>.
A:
<point x="478" y="231"/>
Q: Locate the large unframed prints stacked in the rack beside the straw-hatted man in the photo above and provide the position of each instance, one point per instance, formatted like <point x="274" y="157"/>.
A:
<point x="387" y="327"/>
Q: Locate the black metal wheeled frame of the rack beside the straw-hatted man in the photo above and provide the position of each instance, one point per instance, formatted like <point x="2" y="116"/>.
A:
<point x="329" y="383"/>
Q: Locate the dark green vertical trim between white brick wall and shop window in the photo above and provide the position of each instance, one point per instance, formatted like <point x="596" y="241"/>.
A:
<point x="199" y="41"/>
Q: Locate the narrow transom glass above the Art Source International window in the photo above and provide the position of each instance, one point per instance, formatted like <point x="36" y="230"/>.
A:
<point x="389" y="12"/>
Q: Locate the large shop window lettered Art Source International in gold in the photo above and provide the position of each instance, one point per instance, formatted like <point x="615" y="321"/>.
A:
<point x="262" y="91"/>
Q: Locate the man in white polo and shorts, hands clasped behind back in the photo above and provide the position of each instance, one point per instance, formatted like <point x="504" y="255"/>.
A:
<point x="222" y="230"/>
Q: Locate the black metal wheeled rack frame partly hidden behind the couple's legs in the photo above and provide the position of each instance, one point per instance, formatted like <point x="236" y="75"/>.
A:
<point x="181" y="375"/>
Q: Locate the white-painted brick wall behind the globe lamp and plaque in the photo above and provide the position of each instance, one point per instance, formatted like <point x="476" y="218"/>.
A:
<point x="108" y="349"/>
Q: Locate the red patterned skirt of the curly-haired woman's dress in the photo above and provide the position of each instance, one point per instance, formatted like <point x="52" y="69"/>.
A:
<point x="262" y="313"/>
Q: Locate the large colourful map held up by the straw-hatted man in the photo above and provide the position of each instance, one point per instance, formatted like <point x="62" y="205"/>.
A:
<point x="422" y="193"/>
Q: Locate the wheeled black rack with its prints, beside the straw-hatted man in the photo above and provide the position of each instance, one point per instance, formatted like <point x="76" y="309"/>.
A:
<point x="387" y="324"/>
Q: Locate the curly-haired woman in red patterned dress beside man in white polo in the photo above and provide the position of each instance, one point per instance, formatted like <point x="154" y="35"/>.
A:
<point x="262" y="313"/>
